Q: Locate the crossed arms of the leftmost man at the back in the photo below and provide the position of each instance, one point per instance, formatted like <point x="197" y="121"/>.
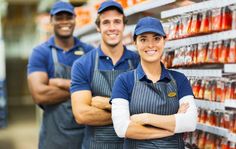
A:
<point x="47" y="91"/>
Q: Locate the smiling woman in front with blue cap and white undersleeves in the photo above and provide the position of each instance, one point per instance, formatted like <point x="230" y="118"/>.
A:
<point x="151" y="105"/>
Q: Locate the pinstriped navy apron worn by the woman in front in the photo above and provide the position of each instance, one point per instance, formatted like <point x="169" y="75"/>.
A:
<point x="153" y="98"/>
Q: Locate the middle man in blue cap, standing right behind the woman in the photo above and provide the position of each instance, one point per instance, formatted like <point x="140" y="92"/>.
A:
<point x="93" y="76"/>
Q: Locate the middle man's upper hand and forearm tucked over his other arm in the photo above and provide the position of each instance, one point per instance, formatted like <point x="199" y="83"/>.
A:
<point x="101" y="103"/>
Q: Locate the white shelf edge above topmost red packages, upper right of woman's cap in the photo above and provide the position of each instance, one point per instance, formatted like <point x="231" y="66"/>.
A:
<point x="210" y="4"/>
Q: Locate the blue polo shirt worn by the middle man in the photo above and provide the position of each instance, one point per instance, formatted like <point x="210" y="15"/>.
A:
<point x="83" y="68"/>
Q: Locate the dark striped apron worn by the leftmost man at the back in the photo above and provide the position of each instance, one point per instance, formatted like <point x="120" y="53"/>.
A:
<point x="59" y="129"/>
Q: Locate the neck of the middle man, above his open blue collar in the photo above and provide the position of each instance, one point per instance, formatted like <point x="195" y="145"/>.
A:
<point x="114" y="52"/>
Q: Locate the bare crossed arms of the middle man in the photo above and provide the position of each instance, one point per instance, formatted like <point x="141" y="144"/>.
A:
<point x="90" y="110"/>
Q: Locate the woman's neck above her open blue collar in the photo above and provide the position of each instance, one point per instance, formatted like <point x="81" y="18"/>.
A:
<point x="152" y="70"/>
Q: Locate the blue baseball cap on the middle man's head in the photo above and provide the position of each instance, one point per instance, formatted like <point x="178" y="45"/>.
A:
<point x="108" y="4"/>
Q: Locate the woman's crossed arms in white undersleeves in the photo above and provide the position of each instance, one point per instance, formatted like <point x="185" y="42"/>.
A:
<point x="138" y="126"/>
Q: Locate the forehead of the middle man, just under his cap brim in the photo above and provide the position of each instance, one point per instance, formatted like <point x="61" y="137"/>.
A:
<point x="110" y="14"/>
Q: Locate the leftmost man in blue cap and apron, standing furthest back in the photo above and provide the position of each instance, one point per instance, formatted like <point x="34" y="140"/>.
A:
<point x="49" y="81"/>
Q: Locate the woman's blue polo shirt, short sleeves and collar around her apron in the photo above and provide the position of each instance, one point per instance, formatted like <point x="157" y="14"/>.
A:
<point x="124" y="83"/>
